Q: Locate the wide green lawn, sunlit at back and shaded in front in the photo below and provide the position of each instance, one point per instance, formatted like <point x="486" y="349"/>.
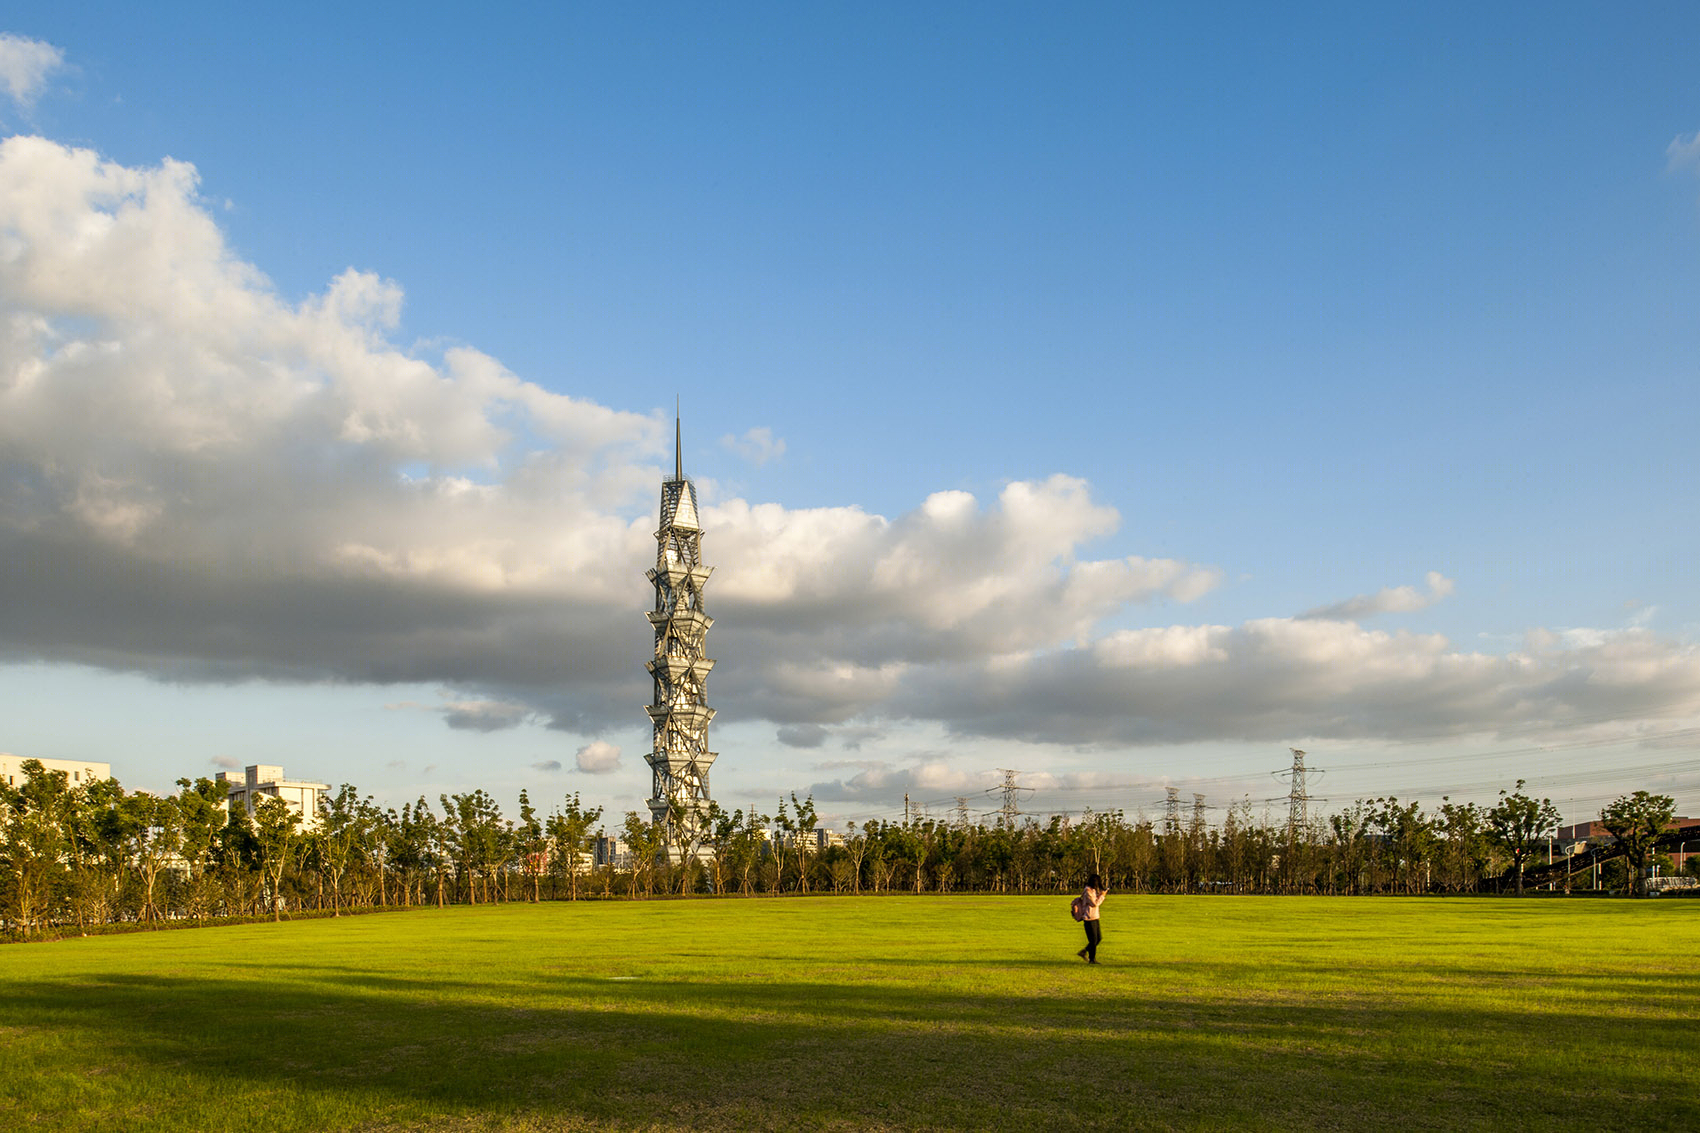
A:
<point x="948" y="1013"/>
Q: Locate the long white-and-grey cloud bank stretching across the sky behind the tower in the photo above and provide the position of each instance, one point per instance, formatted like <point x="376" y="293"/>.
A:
<point x="203" y="481"/>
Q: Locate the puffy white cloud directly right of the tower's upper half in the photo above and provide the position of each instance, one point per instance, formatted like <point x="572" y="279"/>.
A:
<point x="834" y="605"/>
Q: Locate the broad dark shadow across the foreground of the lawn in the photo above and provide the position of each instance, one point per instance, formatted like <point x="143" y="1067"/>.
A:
<point x="728" y="1056"/>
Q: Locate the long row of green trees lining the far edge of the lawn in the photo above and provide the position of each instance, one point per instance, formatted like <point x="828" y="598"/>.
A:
<point x="91" y="855"/>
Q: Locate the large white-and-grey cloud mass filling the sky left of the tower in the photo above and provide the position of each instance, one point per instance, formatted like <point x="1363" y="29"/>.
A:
<point x="229" y="486"/>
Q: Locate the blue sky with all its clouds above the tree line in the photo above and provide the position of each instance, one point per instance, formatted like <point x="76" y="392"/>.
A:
<point x="1305" y="307"/>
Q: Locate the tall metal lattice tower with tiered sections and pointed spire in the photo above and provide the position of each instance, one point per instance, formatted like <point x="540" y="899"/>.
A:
<point x="681" y="710"/>
